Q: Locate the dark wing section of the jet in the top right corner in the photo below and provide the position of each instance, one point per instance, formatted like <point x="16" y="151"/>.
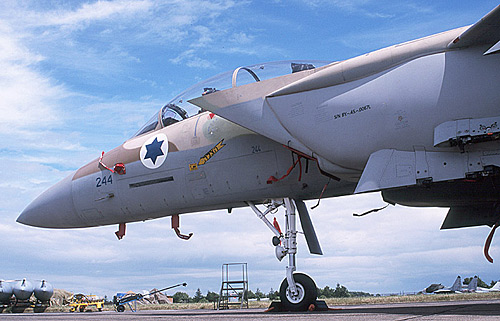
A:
<point x="485" y="31"/>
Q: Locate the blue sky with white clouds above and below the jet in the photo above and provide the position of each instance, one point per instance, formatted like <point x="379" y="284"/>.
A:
<point x="80" y="77"/>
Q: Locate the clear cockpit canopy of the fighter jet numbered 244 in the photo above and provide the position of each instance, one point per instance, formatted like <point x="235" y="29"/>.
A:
<point x="179" y="109"/>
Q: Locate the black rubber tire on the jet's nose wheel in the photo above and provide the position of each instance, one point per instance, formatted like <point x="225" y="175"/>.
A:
<point x="307" y="293"/>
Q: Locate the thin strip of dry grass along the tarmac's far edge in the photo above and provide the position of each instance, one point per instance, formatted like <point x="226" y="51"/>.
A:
<point x="332" y="302"/>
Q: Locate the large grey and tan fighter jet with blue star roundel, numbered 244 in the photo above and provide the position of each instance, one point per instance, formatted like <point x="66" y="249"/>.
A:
<point x="418" y="121"/>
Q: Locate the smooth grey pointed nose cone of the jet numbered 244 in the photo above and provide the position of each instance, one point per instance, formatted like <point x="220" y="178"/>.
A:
<point x="53" y="208"/>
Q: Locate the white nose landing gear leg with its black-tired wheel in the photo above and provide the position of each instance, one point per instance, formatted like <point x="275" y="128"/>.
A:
<point x="297" y="291"/>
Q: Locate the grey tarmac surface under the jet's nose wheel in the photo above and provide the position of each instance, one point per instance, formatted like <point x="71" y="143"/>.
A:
<point x="460" y="310"/>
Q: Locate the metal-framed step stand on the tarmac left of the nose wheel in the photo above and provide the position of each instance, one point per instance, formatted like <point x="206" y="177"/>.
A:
<point x="234" y="289"/>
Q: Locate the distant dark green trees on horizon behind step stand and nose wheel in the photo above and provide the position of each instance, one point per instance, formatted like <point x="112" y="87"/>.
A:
<point x="339" y="291"/>
